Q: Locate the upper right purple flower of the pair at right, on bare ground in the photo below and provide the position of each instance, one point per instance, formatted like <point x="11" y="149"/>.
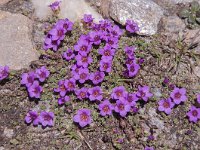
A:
<point x="178" y="95"/>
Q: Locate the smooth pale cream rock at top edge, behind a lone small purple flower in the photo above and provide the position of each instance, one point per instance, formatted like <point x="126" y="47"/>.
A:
<point x="71" y="9"/>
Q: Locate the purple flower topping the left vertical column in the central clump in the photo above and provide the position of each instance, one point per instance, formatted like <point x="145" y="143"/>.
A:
<point x="83" y="47"/>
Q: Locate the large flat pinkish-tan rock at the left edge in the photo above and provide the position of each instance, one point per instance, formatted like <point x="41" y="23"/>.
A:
<point x="16" y="47"/>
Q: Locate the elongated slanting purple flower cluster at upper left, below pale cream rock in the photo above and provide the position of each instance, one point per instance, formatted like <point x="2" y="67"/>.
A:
<point x="57" y="34"/>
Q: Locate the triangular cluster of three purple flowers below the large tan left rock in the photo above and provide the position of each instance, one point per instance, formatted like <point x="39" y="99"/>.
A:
<point x="32" y="84"/>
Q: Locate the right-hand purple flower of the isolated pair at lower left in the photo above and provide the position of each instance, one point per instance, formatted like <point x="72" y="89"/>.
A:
<point x="46" y="118"/>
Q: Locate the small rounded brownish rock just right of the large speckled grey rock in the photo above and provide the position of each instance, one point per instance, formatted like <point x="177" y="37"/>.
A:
<point x="173" y="24"/>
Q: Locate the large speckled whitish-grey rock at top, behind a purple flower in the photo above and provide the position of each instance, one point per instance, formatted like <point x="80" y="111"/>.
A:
<point x="145" y="12"/>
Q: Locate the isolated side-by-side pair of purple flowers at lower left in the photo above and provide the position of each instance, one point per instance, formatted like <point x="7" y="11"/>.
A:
<point x="44" y="118"/>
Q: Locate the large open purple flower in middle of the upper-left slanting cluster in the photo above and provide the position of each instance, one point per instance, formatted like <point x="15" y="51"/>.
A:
<point x="58" y="32"/>
